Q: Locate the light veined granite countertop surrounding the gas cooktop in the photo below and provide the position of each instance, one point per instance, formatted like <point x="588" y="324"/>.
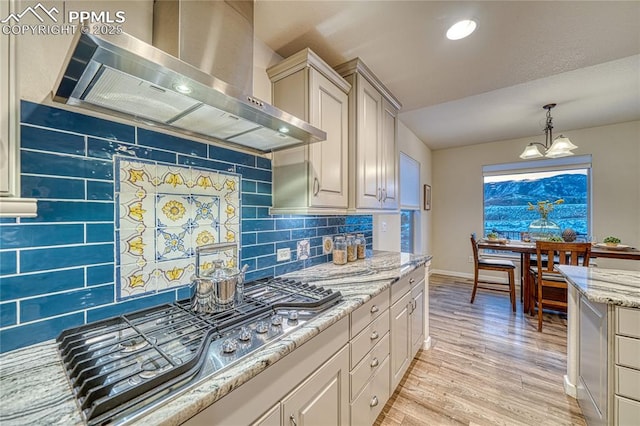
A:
<point x="34" y="389"/>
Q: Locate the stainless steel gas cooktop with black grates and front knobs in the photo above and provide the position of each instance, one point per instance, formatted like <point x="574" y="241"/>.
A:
<point x="123" y="367"/>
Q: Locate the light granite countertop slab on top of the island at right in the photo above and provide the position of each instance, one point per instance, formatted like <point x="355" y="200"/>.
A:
<point x="612" y="286"/>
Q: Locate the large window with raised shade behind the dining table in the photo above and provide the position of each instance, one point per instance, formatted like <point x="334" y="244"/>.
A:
<point x="508" y="188"/>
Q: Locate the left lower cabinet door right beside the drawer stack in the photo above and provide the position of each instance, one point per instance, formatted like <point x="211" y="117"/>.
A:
<point x="400" y="339"/>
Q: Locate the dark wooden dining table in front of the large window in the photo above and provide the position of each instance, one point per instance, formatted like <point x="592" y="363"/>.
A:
<point x="526" y="249"/>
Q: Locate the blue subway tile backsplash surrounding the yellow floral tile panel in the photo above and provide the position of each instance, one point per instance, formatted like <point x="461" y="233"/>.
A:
<point x="58" y="270"/>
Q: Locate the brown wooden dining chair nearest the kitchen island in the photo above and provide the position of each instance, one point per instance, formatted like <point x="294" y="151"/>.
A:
<point x="550" y="288"/>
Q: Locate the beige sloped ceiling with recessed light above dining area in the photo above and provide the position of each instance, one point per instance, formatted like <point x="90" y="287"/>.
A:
<point x="582" y="55"/>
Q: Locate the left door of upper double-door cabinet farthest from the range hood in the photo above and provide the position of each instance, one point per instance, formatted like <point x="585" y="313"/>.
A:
<point x="369" y="106"/>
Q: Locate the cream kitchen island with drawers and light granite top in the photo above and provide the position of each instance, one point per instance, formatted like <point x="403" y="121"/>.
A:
<point x="603" y="343"/>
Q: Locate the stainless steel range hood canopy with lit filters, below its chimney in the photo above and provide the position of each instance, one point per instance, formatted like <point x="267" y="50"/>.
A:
<point x="123" y="76"/>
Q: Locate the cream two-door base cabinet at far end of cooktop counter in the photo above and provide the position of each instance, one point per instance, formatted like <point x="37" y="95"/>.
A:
<point x="407" y="322"/>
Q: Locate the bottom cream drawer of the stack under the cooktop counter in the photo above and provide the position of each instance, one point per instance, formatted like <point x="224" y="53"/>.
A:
<point x="368" y="405"/>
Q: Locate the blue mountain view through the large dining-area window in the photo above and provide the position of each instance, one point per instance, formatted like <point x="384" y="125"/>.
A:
<point x="506" y="201"/>
